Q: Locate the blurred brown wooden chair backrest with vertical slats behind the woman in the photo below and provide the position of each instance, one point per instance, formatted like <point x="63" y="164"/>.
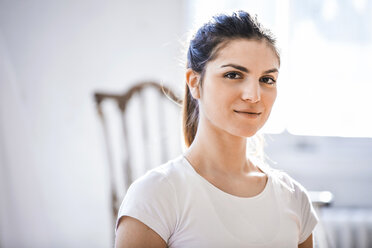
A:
<point x="141" y="129"/>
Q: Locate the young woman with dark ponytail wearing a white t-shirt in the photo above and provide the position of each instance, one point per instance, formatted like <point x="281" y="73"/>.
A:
<point x="214" y="195"/>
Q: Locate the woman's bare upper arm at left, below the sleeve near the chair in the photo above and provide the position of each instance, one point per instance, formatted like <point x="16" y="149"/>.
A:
<point x="134" y="234"/>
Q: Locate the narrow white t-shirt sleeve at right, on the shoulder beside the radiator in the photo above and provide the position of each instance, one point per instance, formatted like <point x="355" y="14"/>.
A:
<point x="308" y="216"/>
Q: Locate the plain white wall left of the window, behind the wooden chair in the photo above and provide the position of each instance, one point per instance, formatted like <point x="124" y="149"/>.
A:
<point x="53" y="56"/>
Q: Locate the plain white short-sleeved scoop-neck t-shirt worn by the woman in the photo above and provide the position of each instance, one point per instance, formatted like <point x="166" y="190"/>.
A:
<point x="188" y="211"/>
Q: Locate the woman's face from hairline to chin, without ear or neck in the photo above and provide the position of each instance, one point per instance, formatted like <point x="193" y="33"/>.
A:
<point x="239" y="87"/>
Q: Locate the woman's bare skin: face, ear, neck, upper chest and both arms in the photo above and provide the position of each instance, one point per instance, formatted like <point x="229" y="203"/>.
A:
<point x="241" y="79"/>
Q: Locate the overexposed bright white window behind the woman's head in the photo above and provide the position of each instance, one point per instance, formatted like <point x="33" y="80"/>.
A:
<point x="325" y="83"/>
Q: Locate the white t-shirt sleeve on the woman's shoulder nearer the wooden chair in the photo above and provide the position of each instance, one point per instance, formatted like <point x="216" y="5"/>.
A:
<point x="151" y="200"/>
